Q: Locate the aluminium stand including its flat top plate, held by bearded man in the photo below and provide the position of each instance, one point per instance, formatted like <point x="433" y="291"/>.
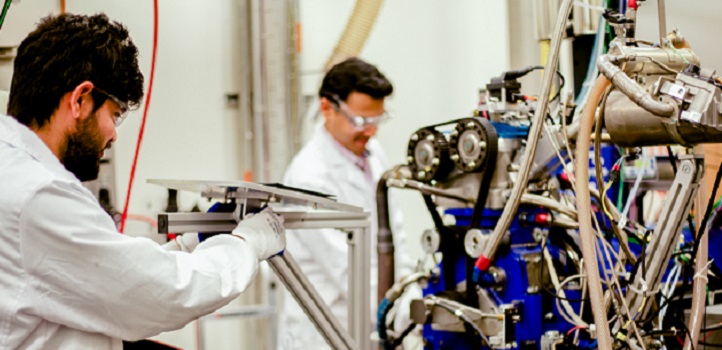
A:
<point x="342" y="216"/>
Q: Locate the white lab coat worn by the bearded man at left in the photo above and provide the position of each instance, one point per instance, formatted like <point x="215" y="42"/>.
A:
<point x="69" y="280"/>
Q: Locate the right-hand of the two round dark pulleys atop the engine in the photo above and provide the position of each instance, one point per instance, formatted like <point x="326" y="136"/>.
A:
<point x="468" y="145"/>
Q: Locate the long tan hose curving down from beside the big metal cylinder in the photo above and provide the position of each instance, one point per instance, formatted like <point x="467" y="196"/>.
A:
<point x="584" y="212"/>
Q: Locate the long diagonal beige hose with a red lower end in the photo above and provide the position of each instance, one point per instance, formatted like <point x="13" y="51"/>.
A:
<point x="534" y="135"/>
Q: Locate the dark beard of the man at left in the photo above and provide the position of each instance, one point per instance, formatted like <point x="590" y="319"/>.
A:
<point x="83" y="149"/>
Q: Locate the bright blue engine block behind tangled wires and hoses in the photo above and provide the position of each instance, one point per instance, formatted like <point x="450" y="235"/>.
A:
<point x="539" y="311"/>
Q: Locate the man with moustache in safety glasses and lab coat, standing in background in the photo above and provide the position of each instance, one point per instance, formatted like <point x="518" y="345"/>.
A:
<point x="342" y="159"/>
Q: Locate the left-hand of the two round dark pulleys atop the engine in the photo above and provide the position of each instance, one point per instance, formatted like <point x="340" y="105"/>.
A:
<point x="428" y="155"/>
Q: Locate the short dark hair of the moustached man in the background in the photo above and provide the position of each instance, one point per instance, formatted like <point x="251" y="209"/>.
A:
<point x="356" y="75"/>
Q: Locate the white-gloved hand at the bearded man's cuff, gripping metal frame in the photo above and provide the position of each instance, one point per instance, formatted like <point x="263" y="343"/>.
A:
<point x="264" y="231"/>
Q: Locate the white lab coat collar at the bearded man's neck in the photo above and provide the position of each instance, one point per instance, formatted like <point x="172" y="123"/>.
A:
<point x="21" y="137"/>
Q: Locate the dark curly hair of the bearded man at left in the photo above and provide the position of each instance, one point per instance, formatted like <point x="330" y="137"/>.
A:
<point x="62" y="52"/>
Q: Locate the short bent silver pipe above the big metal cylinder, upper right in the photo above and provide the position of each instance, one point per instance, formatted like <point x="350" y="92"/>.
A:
<point x="629" y="87"/>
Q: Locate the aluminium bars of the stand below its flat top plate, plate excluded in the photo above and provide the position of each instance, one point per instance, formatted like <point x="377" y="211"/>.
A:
<point x="288" y="271"/>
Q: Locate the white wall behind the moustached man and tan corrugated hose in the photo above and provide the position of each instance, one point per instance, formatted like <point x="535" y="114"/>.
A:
<point x="437" y="55"/>
